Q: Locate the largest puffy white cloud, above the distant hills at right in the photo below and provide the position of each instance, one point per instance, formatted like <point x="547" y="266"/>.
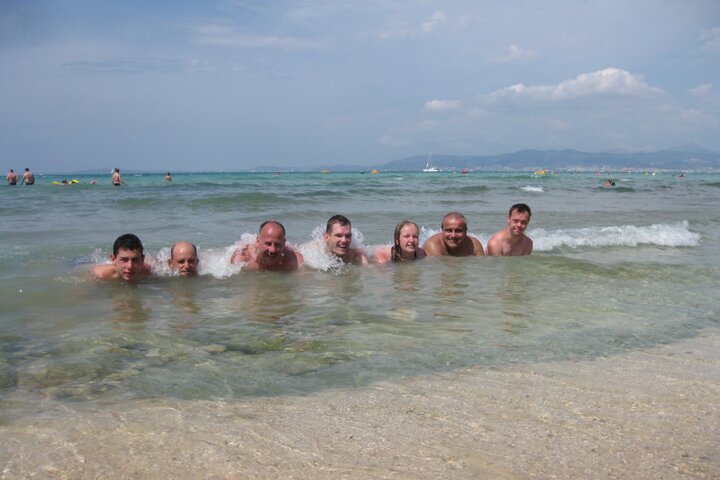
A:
<point x="610" y="82"/>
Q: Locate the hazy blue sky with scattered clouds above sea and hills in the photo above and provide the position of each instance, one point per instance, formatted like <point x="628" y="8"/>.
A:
<point x="226" y="85"/>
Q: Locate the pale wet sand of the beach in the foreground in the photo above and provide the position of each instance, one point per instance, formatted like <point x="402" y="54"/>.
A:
<point x="645" y="415"/>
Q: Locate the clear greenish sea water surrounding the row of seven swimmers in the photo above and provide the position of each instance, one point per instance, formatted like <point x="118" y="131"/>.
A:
<point x="614" y="270"/>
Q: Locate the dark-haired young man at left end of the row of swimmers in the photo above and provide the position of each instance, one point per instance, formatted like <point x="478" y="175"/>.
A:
<point x="128" y="261"/>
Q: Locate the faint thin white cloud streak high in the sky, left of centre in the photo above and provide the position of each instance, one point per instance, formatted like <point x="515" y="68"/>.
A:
<point x="223" y="35"/>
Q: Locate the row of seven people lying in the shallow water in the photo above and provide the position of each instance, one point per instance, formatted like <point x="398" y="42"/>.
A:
<point x="270" y="252"/>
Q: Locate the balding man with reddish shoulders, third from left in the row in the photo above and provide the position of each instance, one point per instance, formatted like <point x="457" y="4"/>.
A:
<point x="269" y="252"/>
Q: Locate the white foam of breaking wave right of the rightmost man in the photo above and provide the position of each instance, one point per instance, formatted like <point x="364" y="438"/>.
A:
<point x="667" y="235"/>
